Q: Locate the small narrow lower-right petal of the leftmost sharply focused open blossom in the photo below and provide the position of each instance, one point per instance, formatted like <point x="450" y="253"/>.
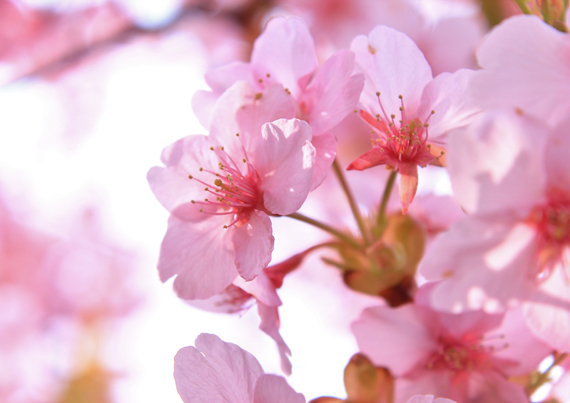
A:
<point x="253" y="244"/>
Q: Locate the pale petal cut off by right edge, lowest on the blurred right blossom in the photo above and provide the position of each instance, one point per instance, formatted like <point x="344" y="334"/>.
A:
<point x="548" y="311"/>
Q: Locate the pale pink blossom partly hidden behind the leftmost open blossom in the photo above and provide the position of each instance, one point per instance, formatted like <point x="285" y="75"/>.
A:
<point x="285" y="53"/>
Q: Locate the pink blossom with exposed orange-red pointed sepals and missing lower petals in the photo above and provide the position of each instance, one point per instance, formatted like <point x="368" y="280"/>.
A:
<point x="401" y="100"/>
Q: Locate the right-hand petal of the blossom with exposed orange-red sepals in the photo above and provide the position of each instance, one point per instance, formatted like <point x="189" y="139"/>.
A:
<point x="449" y="97"/>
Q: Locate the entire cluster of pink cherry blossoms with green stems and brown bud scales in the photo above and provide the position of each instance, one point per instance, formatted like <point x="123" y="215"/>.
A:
<point x="470" y="303"/>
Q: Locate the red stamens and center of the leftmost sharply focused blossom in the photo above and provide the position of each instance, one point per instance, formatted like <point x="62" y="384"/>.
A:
<point x="231" y="190"/>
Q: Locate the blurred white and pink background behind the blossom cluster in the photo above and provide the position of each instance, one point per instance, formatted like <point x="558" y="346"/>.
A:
<point x="90" y="93"/>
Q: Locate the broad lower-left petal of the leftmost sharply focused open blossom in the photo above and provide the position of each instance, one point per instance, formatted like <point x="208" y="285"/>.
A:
<point x="201" y="254"/>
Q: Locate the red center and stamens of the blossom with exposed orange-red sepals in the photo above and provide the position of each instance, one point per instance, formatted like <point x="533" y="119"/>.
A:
<point x="403" y="139"/>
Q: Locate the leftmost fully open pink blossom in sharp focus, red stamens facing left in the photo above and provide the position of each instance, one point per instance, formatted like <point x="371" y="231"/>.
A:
<point x="221" y="188"/>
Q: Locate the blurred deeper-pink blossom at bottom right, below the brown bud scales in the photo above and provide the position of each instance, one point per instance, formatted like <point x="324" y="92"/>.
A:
<point x="466" y="357"/>
